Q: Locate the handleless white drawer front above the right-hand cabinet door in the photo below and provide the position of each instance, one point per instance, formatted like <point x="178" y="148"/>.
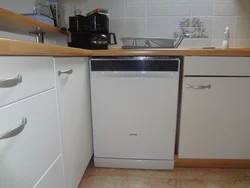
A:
<point x="221" y="66"/>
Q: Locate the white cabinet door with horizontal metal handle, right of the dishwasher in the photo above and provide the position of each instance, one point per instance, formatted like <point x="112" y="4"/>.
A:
<point x="215" y="122"/>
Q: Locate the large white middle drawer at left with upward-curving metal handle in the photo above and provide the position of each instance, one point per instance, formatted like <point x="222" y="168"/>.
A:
<point x="27" y="156"/>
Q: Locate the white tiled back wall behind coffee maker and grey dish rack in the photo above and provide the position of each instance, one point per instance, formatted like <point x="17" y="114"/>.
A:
<point x="161" y="18"/>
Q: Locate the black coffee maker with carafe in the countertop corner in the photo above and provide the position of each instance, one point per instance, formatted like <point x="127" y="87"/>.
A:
<point x="91" y="32"/>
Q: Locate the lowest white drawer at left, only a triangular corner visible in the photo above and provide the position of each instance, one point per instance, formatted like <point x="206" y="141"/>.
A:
<point x="54" y="177"/>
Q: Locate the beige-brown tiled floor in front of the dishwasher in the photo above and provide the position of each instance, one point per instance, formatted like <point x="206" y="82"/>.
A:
<point x="179" y="178"/>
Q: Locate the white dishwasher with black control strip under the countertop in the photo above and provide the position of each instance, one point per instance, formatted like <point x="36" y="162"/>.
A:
<point x="134" y="110"/>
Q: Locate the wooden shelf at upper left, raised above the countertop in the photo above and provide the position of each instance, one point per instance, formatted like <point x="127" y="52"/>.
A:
<point x="16" y="23"/>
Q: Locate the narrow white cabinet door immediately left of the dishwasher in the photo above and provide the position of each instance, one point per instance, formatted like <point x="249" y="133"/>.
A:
<point x="75" y="116"/>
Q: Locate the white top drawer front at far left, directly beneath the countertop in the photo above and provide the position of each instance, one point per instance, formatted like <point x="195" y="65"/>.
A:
<point x="37" y="76"/>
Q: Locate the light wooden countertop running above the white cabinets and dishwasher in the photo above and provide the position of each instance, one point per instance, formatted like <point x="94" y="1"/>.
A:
<point x="15" y="47"/>
